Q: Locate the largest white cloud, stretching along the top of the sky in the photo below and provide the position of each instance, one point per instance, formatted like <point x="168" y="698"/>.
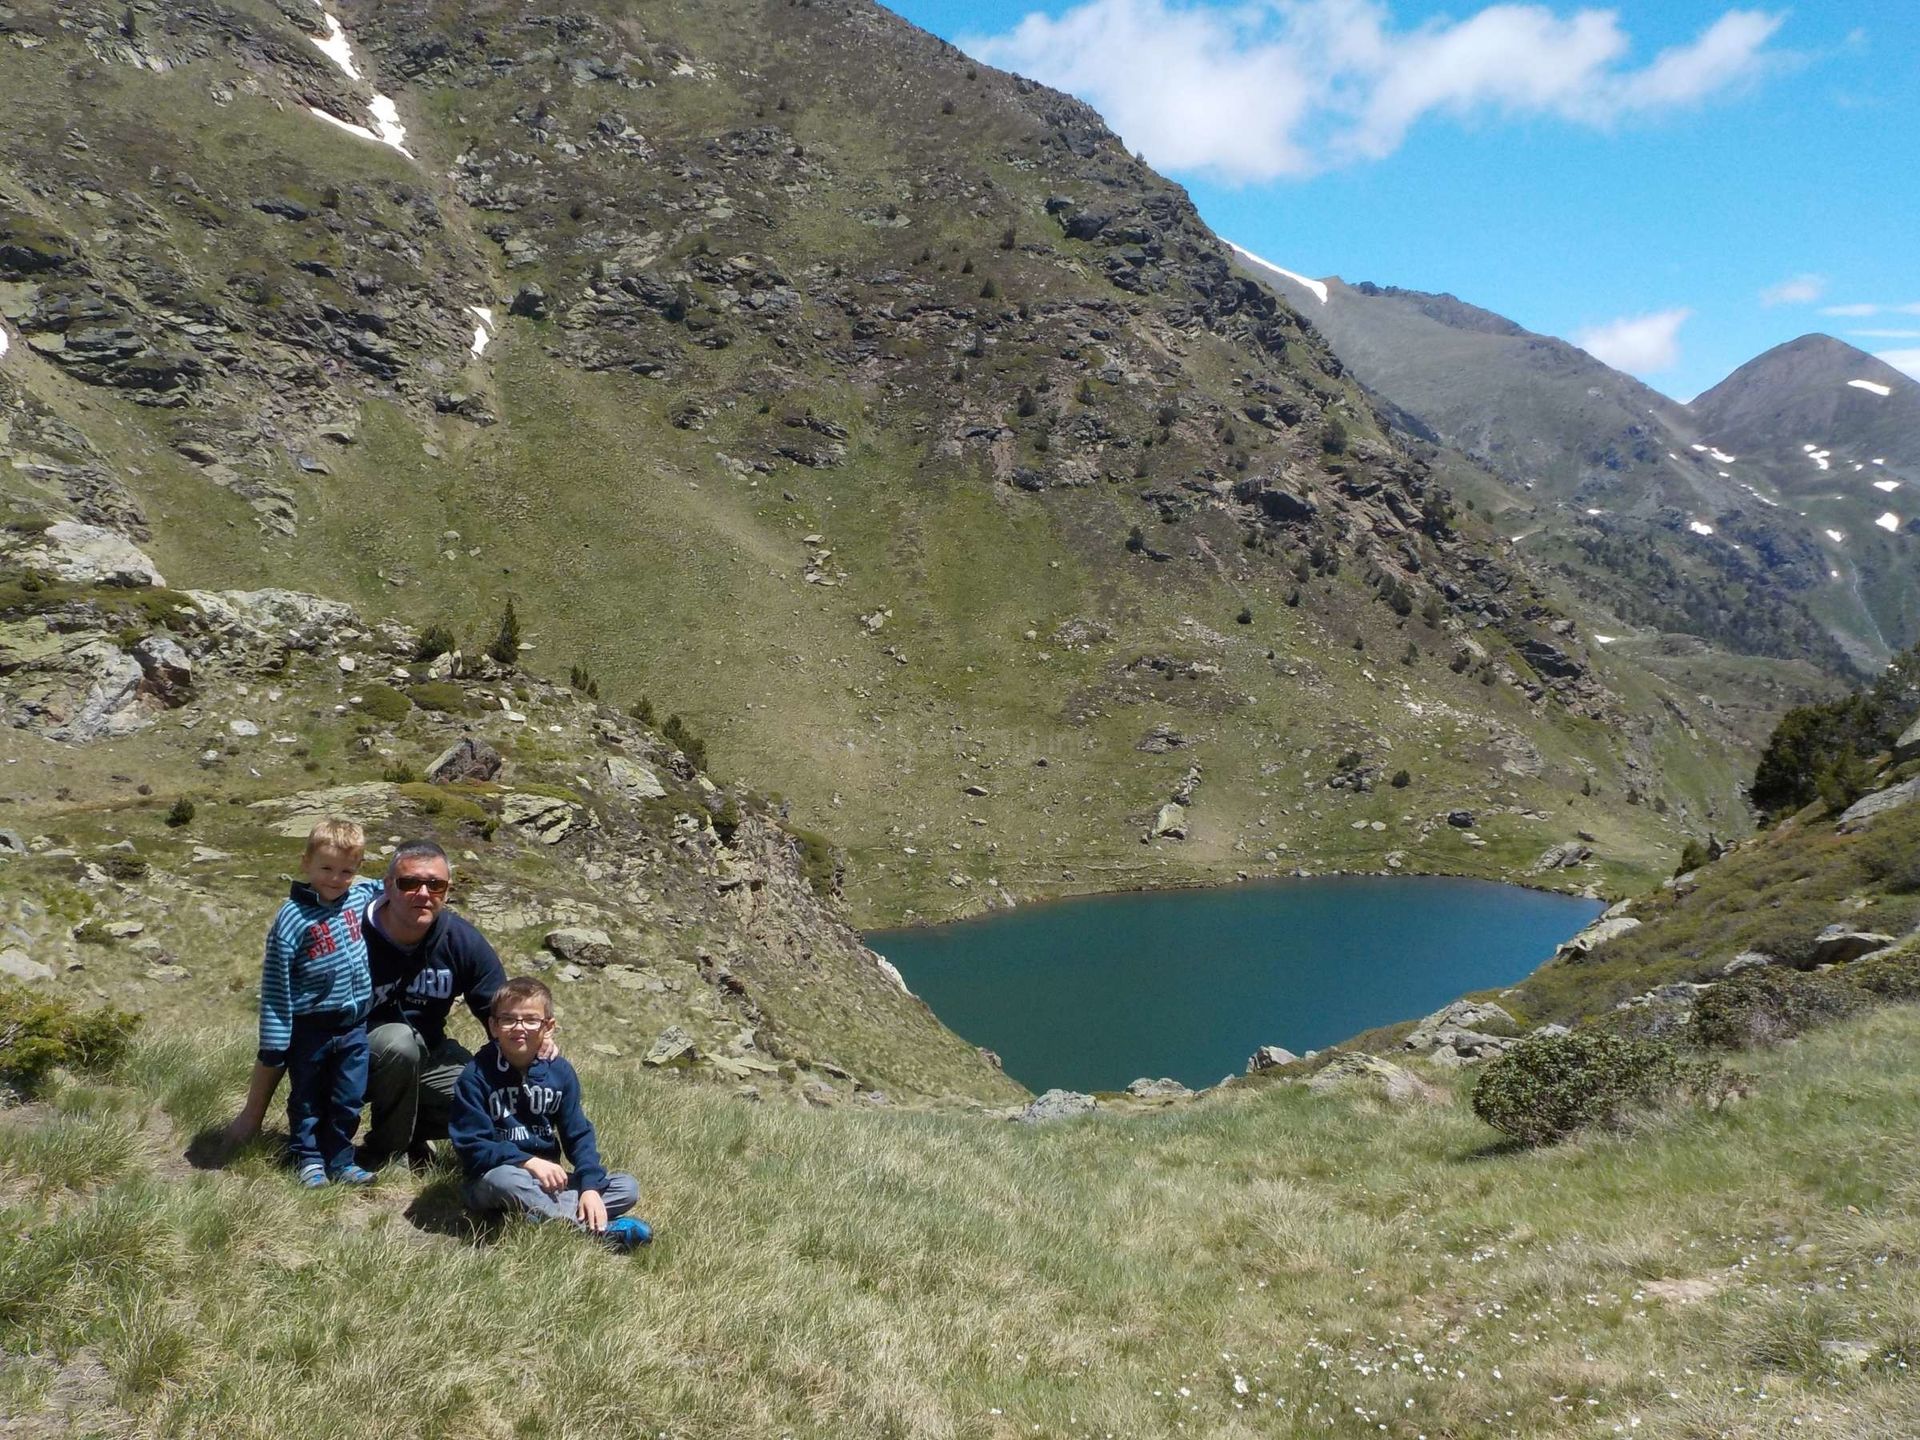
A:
<point x="1264" y="89"/>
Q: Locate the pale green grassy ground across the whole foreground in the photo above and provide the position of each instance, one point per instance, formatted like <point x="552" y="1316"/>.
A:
<point x="1362" y="1272"/>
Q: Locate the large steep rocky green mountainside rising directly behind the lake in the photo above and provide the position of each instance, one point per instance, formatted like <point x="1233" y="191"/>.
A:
<point x="867" y="410"/>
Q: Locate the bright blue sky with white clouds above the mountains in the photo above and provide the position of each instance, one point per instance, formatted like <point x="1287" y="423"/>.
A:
<point x="1673" y="185"/>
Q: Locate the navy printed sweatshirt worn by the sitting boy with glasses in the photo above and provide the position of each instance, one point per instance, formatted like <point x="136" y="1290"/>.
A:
<point x="502" y="1118"/>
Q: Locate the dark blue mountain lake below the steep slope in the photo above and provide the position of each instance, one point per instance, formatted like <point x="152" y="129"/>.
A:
<point x="1188" y="984"/>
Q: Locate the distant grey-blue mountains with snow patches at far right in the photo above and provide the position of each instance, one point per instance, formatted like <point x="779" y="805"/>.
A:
<point x="1675" y="517"/>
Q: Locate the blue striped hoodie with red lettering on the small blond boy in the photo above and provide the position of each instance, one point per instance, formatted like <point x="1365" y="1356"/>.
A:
<point x="316" y="965"/>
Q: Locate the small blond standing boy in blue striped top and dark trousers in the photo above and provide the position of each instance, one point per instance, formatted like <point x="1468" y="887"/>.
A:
<point x="314" y="996"/>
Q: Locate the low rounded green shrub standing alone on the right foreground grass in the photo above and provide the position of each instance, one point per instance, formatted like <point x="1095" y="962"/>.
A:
<point x="1554" y="1086"/>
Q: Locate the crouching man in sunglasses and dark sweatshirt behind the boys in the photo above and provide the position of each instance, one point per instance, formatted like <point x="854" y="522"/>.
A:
<point x="423" y="957"/>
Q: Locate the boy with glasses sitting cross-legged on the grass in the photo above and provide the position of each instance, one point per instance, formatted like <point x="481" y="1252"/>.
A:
<point x="516" y="1116"/>
